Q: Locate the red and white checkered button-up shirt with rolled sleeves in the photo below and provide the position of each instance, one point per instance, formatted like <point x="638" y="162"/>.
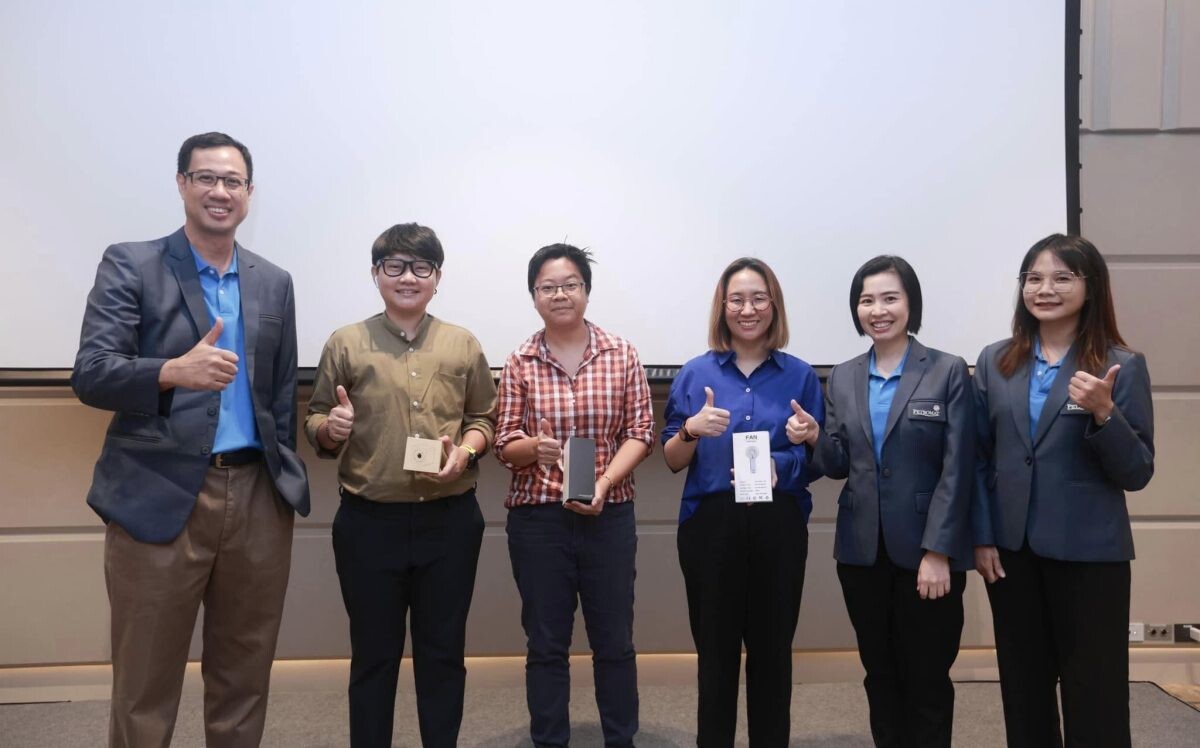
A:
<point x="609" y="400"/>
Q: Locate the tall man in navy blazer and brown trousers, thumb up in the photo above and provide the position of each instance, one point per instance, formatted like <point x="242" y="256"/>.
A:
<point x="191" y="342"/>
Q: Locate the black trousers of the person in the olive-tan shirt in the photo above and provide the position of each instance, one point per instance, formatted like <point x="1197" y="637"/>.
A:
<point x="395" y="561"/>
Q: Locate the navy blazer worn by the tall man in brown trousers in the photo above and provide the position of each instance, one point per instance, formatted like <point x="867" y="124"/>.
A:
<point x="147" y="307"/>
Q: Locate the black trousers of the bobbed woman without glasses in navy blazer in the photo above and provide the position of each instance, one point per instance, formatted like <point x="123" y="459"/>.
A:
<point x="908" y="647"/>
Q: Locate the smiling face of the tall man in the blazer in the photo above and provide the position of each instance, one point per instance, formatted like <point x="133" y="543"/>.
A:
<point x="214" y="213"/>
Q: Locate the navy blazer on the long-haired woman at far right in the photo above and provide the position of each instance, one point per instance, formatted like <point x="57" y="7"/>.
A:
<point x="1064" y="490"/>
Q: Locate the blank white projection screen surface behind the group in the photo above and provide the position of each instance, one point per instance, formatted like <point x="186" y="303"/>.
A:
<point x="669" y="137"/>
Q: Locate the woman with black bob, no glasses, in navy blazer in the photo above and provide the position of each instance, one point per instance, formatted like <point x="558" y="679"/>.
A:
<point x="901" y="429"/>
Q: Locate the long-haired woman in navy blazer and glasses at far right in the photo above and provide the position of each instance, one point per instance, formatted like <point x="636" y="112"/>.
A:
<point x="1066" y="428"/>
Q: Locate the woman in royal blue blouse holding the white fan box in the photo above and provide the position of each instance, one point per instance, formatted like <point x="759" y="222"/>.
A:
<point x="743" y="564"/>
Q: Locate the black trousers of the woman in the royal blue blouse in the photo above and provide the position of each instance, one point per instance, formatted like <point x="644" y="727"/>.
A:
<point x="743" y="567"/>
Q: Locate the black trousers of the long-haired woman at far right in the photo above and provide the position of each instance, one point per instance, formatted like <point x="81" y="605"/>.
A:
<point x="1066" y="624"/>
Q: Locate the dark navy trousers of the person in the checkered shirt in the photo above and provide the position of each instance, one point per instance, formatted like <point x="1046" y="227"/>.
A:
<point x="561" y="559"/>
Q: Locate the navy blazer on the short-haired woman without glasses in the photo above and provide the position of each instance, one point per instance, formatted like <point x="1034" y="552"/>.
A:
<point x="921" y="489"/>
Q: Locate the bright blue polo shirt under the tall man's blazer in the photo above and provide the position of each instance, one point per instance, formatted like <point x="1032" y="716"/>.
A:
<point x="223" y="296"/>
